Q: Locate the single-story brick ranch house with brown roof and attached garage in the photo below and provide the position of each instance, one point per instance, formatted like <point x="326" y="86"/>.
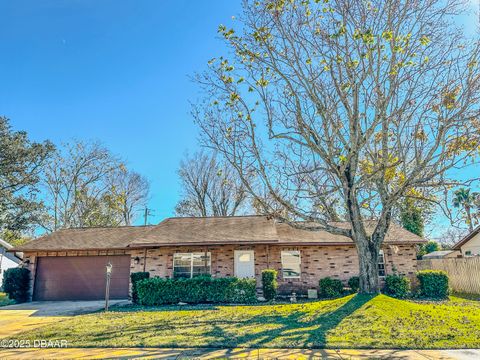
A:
<point x="70" y="264"/>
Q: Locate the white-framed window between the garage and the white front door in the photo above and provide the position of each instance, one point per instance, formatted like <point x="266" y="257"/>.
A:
<point x="188" y="265"/>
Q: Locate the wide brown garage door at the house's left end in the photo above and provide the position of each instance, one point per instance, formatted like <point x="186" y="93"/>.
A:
<point x="80" y="278"/>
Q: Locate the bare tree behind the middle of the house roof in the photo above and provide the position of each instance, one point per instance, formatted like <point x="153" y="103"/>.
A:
<point x="210" y="188"/>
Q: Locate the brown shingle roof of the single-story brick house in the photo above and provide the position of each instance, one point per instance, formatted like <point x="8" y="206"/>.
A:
<point x="198" y="231"/>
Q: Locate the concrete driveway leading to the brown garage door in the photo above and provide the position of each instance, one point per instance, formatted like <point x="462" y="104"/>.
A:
<point x="27" y="316"/>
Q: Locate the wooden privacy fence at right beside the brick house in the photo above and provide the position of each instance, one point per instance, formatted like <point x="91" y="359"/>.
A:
<point x="463" y="273"/>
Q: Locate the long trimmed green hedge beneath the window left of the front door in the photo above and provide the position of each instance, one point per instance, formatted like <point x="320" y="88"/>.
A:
<point x="201" y="289"/>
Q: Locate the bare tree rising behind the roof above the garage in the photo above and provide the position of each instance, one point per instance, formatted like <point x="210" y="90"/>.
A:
<point x="85" y="185"/>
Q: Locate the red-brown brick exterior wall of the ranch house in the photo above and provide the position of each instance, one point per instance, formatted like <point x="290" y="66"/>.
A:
<point x="339" y="262"/>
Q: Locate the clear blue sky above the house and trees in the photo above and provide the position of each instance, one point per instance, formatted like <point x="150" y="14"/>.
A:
<point x="115" y="71"/>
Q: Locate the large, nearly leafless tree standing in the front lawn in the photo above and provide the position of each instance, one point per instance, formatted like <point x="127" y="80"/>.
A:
<point x="366" y="102"/>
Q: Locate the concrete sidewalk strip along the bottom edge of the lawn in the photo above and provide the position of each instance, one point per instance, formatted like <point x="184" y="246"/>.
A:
<point x="155" y="353"/>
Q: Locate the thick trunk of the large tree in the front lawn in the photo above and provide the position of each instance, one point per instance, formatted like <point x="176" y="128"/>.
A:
<point x="368" y="264"/>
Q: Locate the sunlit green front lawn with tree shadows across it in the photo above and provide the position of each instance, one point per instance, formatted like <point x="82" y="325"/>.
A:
<point x="349" y="322"/>
